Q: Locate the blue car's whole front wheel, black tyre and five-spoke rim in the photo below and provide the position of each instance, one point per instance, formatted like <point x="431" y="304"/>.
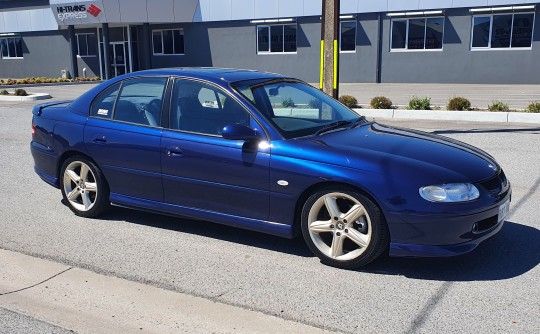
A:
<point x="344" y="228"/>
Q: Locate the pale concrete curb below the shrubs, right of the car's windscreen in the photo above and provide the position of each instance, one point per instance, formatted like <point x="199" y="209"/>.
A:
<point x="473" y="116"/>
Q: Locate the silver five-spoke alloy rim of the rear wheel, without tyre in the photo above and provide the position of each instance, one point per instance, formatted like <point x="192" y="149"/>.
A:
<point x="80" y="186"/>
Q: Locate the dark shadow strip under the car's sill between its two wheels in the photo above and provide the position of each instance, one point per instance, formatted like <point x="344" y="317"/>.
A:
<point x="211" y="230"/>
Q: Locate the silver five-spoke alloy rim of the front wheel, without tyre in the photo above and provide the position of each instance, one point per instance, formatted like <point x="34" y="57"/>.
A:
<point x="339" y="226"/>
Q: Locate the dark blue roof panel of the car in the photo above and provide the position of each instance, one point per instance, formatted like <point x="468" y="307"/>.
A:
<point x="228" y="75"/>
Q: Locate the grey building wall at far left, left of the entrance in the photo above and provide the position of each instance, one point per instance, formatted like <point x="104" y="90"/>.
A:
<point x="45" y="54"/>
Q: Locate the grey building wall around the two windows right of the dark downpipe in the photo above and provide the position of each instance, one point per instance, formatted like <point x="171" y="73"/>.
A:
<point x="457" y="63"/>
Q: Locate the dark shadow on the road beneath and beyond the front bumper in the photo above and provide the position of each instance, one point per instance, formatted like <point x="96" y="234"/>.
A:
<point x="512" y="252"/>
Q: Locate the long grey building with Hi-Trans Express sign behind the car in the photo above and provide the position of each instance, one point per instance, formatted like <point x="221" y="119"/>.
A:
<point x="413" y="41"/>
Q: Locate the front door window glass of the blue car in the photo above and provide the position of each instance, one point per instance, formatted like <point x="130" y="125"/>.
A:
<point x="202" y="108"/>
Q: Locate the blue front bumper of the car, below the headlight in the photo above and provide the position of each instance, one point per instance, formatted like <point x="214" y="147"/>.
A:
<point x="443" y="235"/>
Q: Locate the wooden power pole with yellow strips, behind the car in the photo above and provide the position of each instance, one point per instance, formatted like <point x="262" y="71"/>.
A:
<point x="329" y="67"/>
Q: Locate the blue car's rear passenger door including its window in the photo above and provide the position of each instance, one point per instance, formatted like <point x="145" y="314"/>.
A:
<point x="123" y="136"/>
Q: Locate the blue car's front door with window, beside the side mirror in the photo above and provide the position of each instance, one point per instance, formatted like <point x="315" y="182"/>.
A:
<point x="201" y="169"/>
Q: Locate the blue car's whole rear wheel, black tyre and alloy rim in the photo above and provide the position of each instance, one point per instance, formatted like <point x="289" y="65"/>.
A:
<point x="83" y="187"/>
